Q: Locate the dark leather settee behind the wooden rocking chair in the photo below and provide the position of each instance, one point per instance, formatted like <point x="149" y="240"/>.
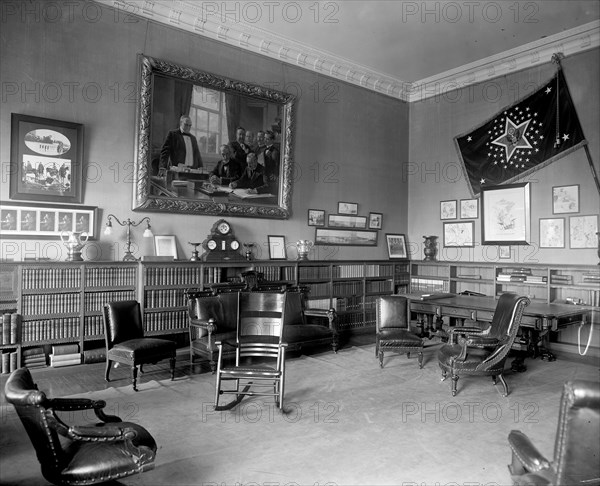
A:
<point x="213" y="317"/>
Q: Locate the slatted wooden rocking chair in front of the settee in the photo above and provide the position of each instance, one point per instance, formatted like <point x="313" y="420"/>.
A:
<point x="259" y="334"/>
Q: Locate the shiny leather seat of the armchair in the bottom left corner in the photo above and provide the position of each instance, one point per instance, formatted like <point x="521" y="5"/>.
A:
<point x="92" y="460"/>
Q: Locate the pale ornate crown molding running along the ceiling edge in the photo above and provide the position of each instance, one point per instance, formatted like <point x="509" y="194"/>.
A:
<point x="193" y="17"/>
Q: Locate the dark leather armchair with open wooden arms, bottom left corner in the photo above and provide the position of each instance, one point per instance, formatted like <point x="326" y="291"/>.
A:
<point x="78" y="454"/>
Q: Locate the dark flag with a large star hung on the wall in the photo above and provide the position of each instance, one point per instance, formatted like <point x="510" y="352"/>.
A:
<point x="523" y="138"/>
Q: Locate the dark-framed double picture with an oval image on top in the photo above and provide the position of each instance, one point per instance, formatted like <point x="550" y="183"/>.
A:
<point x="47" y="156"/>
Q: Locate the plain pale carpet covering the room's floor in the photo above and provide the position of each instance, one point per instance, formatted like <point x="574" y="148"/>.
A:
<point x="347" y="422"/>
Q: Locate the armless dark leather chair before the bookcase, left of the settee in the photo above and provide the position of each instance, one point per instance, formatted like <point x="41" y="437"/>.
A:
<point x="125" y="341"/>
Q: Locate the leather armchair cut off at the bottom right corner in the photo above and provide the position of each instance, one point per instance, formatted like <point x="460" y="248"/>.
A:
<point x="576" y="448"/>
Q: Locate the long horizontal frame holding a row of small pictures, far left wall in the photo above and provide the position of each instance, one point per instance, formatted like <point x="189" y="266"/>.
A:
<point x="46" y="221"/>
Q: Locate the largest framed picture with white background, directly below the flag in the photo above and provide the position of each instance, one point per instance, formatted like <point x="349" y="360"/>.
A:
<point x="505" y="215"/>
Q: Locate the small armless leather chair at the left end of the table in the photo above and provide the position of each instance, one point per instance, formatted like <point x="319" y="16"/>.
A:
<point x="393" y="328"/>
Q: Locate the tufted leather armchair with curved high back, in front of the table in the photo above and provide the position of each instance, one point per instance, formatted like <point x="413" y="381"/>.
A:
<point x="473" y="351"/>
